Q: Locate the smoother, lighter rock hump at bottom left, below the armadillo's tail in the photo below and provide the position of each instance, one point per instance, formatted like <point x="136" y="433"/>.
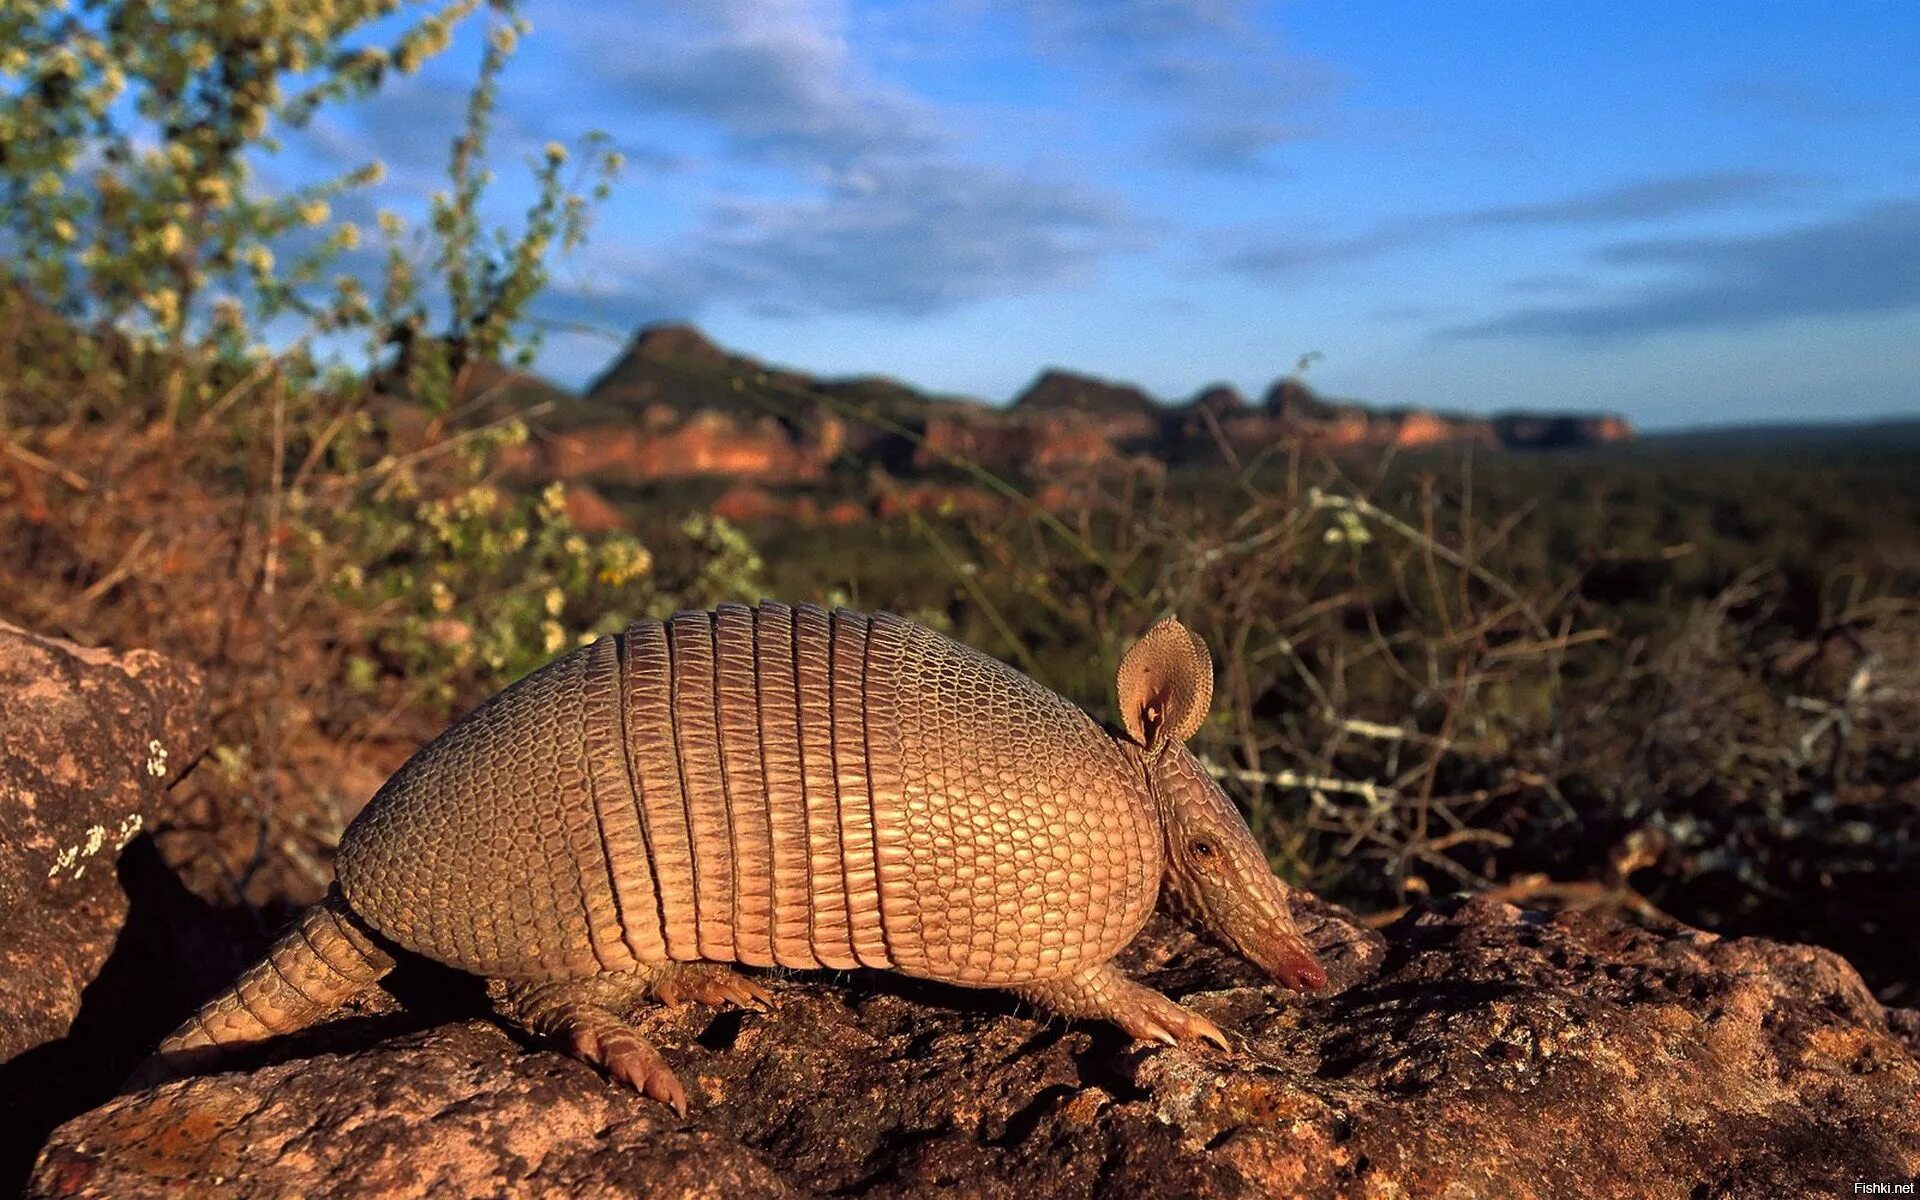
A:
<point x="454" y="1113"/>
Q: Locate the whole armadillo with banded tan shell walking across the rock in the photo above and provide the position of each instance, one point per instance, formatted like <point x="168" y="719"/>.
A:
<point x="782" y="788"/>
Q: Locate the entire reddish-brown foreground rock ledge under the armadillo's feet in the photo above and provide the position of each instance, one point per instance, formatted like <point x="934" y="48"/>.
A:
<point x="1472" y="1051"/>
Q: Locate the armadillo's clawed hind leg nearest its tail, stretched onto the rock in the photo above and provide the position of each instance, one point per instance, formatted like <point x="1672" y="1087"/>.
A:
<point x="587" y="1017"/>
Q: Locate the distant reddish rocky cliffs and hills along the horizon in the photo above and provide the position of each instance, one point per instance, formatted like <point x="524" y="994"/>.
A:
<point x="677" y="406"/>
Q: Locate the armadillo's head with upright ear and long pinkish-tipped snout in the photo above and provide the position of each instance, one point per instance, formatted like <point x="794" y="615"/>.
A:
<point x="1214" y="867"/>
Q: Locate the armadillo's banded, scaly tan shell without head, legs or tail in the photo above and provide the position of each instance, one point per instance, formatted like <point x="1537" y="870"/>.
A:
<point x="765" y="786"/>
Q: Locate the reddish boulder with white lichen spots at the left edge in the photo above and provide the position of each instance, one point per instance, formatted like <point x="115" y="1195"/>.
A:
<point x="89" y="744"/>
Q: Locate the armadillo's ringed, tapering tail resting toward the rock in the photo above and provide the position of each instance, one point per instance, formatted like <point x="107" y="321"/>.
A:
<point x="318" y="965"/>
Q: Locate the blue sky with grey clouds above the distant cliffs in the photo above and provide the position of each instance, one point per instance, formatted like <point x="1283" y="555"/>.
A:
<point x="1694" y="214"/>
